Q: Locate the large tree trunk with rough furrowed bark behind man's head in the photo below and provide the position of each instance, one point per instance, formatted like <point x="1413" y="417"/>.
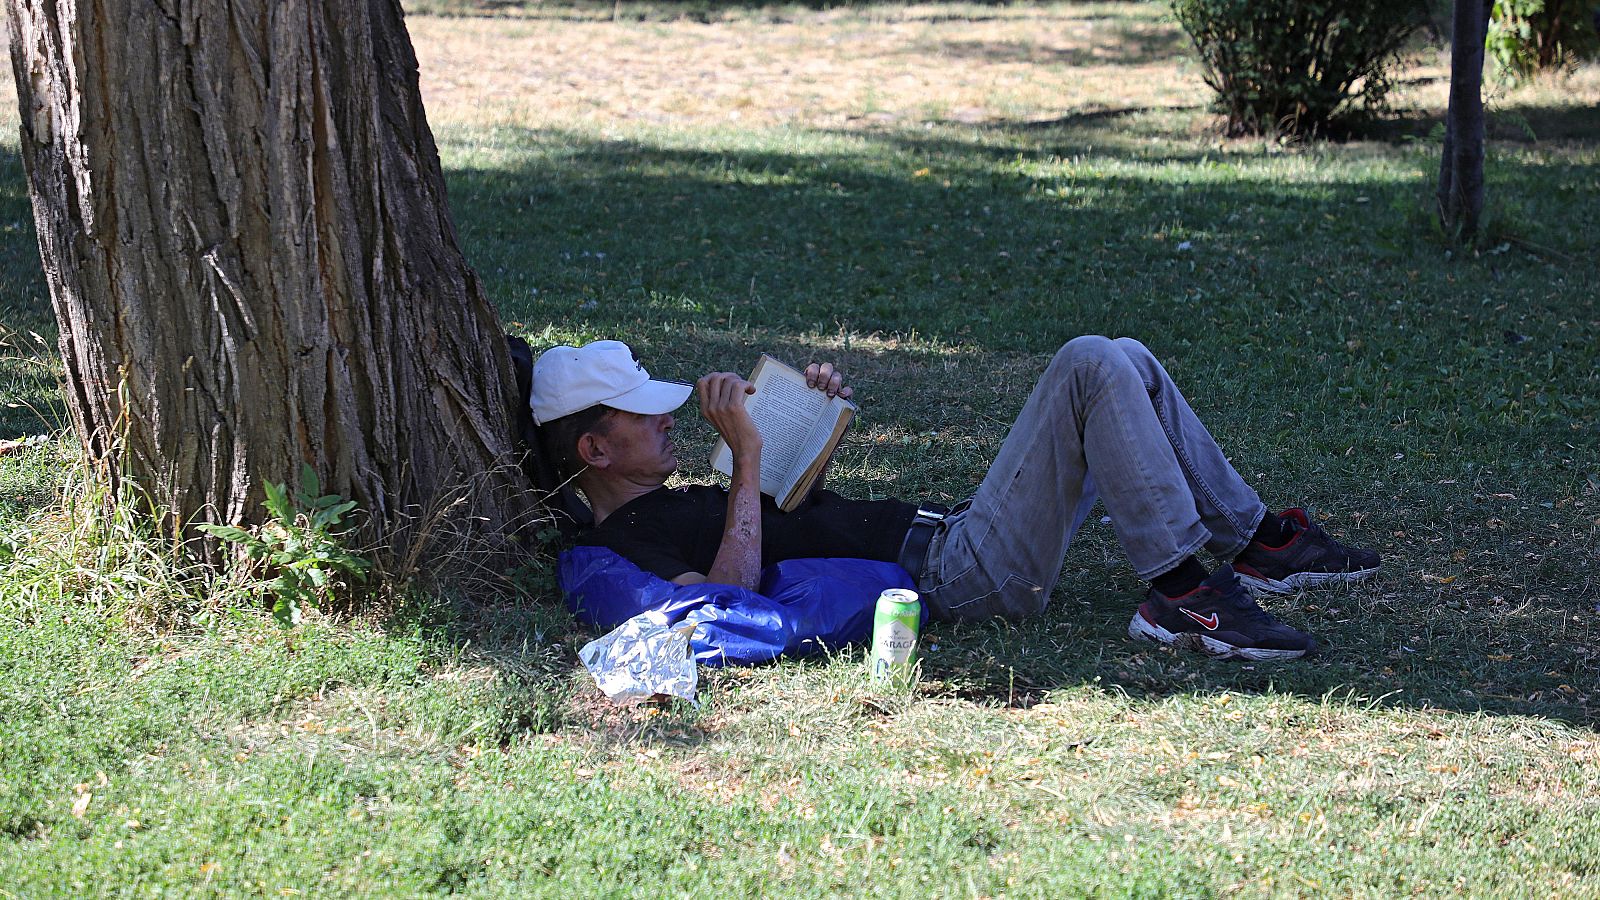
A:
<point x="244" y="228"/>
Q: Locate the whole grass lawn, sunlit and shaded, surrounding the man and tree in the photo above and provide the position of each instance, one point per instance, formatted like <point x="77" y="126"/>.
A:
<point x="1444" y="409"/>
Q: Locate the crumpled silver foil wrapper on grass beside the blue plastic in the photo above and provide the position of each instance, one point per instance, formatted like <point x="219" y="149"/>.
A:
<point x="644" y="657"/>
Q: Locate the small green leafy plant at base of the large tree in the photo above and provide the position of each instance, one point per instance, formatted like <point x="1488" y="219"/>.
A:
<point x="302" y="545"/>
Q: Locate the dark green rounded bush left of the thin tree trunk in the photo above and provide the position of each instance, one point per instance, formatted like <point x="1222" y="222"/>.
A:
<point x="1292" y="66"/>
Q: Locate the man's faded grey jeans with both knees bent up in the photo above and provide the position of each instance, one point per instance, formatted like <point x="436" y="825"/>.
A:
<point x="1105" y="414"/>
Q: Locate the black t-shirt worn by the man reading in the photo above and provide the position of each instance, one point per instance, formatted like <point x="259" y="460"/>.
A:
<point x="676" y="531"/>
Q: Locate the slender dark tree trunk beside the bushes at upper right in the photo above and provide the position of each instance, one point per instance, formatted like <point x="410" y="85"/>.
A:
<point x="1462" y="164"/>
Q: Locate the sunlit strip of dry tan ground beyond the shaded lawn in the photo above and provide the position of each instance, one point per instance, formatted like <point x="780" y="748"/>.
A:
<point x="822" y="71"/>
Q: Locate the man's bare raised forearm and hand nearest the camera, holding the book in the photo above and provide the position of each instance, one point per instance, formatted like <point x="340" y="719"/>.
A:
<point x="740" y="556"/>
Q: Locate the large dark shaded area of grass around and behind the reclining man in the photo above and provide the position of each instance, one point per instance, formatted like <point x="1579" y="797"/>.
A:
<point x="940" y="270"/>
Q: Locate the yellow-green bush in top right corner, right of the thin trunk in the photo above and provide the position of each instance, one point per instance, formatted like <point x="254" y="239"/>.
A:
<point x="1534" y="36"/>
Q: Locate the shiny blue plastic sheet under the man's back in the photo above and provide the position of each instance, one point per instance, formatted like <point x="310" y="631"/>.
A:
<point x="801" y="608"/>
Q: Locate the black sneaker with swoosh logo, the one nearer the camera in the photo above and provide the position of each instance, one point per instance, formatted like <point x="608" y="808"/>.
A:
<point x="1218" y="619"/>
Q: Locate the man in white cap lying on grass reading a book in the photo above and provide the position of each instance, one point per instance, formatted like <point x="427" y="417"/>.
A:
<point x="1105" y="420"/>
